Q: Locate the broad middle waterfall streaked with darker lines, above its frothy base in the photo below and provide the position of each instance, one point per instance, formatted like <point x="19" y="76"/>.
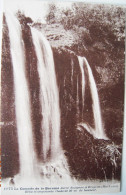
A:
<point x="48" y="96"/>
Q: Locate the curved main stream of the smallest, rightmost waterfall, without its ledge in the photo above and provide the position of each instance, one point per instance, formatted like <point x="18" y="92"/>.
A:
<point x="99" y="130"/>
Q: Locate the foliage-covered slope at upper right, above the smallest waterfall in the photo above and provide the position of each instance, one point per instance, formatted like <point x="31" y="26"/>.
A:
<point x="98" y="32"/>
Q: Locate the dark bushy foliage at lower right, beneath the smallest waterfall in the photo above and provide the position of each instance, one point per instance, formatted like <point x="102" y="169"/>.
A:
<point x="98" y="159"/>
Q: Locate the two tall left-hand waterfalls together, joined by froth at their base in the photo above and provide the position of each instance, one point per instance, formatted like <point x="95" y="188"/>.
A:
<point x="52" y="161"/>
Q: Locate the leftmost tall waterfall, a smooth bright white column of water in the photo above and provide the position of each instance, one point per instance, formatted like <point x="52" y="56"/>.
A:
<point x="22" y="99"/>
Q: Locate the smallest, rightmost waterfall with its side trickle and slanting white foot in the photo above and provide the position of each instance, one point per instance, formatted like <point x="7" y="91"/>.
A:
<point x="98" y="132"/>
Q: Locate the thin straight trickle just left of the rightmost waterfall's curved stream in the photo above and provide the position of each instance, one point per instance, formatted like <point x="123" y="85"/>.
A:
<point x="81" y="64"/>
